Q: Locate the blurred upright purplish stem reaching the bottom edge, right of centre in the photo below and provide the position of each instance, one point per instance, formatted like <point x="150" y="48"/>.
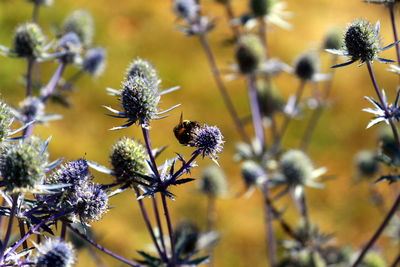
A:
<point x="269" y="229"/>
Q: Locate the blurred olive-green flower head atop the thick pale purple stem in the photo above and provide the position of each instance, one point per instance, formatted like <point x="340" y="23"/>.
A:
<point x="250" y="53"/>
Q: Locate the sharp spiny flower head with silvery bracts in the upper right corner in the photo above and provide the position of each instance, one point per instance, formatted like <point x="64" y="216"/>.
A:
<point x="362" y="42"/>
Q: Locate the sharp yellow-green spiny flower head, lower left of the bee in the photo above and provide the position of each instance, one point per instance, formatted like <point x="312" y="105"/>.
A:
<point x="128" y="157"/>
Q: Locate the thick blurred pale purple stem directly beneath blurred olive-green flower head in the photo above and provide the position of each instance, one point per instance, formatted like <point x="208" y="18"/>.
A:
<point x="255" y="110"/>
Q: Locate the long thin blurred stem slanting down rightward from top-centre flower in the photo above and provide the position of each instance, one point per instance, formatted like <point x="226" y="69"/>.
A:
<point x="222" y="89"/>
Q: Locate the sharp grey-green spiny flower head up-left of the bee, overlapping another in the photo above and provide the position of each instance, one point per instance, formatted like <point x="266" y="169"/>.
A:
<point x="139" y="99"/>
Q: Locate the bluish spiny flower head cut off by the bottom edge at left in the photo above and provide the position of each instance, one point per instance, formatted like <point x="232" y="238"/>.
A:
<point x="55" y="252"/>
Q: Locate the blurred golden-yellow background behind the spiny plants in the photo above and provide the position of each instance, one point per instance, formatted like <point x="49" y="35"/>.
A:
<point x="147" y="29"/>
